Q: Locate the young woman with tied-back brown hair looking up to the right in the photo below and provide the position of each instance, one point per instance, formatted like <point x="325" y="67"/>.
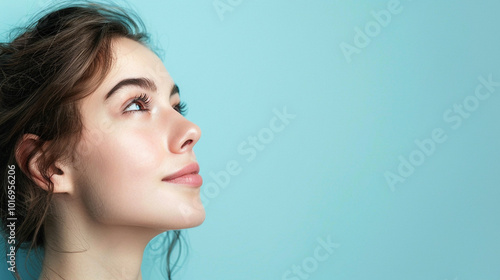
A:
<point x="96" y="155"/>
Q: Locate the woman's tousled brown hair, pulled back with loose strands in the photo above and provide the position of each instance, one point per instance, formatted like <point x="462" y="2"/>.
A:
<point x="44" y="72"/>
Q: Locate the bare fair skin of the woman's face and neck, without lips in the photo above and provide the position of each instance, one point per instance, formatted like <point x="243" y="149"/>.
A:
<point x="111" y="200"/>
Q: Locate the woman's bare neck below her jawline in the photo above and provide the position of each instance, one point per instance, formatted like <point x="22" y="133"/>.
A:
<point x="79" y="248"/>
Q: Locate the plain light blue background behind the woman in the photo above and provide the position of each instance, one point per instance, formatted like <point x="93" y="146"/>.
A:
<point x="323" y="175"/>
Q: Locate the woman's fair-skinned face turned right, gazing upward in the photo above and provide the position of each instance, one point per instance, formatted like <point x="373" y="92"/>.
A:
<point x="136" y="145"/>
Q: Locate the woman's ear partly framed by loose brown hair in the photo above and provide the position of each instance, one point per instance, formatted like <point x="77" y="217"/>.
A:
<point x="27" y="156"/>
